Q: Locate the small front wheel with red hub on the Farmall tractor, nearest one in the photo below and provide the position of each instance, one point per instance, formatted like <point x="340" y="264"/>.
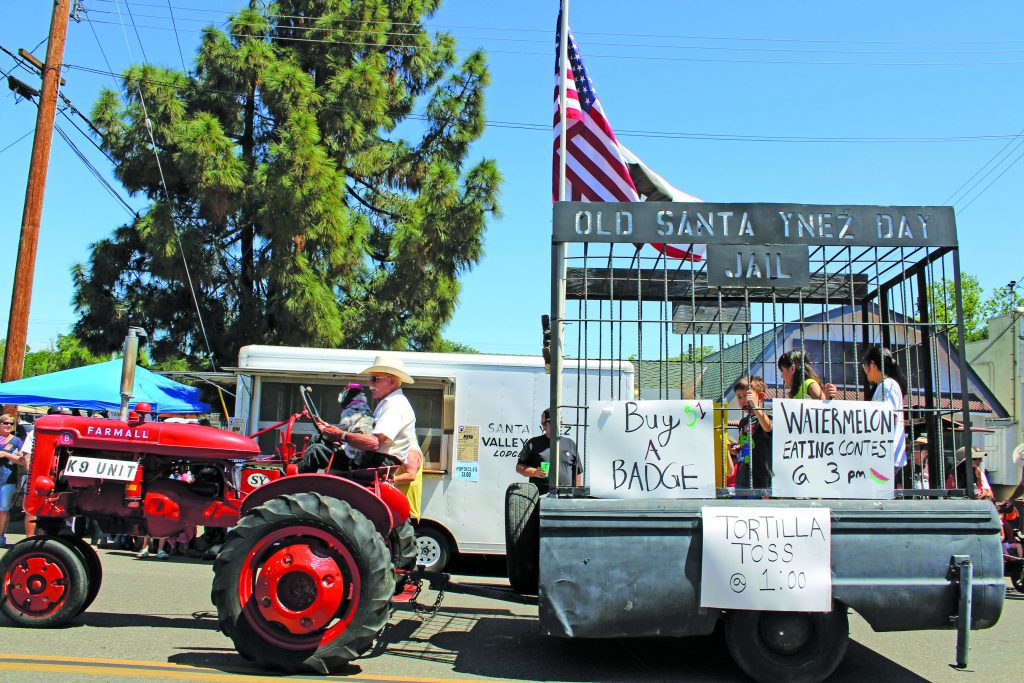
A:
<point x="46" y="583"/>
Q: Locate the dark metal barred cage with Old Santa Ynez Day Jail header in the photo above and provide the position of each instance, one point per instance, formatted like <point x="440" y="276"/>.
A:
<point x="831" y="281"/>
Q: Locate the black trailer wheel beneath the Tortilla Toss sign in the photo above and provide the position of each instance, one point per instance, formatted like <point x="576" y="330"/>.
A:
<point x="788" y="648"/>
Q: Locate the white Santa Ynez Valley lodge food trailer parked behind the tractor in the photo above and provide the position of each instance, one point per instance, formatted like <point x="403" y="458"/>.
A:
<point x="475" y="413"/>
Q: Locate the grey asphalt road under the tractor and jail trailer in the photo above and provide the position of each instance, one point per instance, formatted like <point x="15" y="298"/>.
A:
<point x="153" y="620"/>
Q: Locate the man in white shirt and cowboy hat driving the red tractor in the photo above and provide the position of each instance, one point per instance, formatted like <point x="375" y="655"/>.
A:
<point x="394" y="440"/>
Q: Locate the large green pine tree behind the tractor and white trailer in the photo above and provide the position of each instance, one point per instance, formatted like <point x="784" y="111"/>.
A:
<point x="304" y="216"/>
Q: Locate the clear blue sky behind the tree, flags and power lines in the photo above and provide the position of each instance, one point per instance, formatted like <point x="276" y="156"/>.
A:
<point x="894" y="104"/>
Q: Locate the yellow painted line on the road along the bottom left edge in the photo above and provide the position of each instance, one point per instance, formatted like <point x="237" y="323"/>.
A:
<point x="163" y="670"/>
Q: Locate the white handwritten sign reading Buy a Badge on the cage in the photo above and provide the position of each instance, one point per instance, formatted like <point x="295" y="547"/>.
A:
<point x="652" y="449"/>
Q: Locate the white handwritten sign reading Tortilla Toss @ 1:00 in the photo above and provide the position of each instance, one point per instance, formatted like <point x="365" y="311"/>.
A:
<point x="776" y="560"/>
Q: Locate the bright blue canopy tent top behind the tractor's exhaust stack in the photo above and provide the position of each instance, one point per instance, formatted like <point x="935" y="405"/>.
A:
<point x="98" y="389"/>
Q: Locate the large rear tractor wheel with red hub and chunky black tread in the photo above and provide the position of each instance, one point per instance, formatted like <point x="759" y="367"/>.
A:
<point x="304" y="583"/>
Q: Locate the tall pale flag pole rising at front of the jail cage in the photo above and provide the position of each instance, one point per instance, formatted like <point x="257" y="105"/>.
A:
<point x="559" y="252"/>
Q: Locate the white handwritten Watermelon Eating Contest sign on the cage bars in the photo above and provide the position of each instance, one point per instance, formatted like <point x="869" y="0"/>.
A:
<point x="837" y="449"/>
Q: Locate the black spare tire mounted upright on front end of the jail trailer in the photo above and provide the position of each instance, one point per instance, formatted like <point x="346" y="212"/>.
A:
<point x="523" y="537"/>
